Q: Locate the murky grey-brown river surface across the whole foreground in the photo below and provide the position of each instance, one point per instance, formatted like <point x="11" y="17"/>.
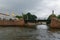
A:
<point x="20" y="33"/>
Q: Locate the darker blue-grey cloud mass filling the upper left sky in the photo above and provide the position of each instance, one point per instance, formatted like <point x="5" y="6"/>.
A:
<point x="17" y="5"/>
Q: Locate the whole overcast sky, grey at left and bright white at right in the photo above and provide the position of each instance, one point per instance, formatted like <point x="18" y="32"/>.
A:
<point x="41" y="8"/>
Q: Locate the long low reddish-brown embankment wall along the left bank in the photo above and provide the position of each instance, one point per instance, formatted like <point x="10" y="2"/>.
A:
<point x="12" y="22"/>
